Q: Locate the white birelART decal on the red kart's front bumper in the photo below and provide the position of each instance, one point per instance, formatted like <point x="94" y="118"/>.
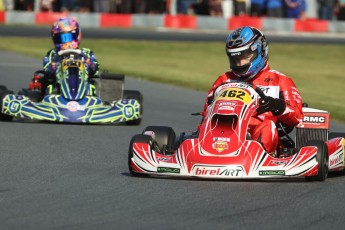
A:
<point x="233" y="171"/>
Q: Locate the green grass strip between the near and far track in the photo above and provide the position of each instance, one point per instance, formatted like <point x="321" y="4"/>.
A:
<point x="318" y="70"/>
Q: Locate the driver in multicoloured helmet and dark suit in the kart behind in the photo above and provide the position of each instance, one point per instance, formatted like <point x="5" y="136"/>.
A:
<point x="66" y="34"/>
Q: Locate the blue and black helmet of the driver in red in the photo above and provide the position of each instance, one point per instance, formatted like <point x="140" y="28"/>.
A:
<point x="247" y="51"/>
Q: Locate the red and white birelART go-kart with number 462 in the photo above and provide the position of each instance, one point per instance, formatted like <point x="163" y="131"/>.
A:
<point x="222" y="149"/>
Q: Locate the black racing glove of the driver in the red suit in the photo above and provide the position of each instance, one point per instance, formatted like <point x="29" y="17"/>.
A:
<point x="275" y="105"/>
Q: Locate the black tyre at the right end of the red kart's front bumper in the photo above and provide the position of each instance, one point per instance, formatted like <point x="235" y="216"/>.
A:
<point x="322" y="159"/>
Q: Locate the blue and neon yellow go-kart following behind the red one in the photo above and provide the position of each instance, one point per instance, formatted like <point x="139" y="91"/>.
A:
<point x="75" y="101"/>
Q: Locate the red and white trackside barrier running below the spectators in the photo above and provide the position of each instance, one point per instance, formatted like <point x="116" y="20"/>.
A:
<point x="106" y="20"/>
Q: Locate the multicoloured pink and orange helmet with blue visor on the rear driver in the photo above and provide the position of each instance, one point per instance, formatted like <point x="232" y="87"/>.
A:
<point x="66" y="33"/>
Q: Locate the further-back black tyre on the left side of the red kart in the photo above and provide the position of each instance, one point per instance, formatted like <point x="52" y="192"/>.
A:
<point x="164" y="136"/>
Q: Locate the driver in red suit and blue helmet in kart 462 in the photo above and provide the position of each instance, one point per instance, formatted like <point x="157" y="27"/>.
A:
<point x="247" y="51"/>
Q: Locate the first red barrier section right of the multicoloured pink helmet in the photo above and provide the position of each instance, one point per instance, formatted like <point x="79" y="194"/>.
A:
<point x="116" y="20"/>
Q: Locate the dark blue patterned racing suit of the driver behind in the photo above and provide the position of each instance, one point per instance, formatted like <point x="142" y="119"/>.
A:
<point x="48" y="81"/>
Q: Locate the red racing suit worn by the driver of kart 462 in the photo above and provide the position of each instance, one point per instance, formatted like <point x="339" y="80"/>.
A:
<point x="262" y="127"/>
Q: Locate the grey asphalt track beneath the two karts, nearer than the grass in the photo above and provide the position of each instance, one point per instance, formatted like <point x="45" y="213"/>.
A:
<point x="55" y="176"/>
